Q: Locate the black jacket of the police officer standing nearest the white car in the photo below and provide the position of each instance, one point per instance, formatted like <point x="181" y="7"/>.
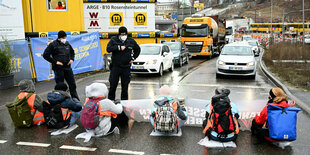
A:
<point x="122" y="58"/>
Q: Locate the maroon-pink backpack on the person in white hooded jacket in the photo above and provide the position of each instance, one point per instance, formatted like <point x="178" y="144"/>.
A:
<point x="90" y="114"/>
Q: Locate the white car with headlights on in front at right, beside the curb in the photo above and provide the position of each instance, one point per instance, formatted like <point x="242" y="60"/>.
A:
<point x="236" y="59"/>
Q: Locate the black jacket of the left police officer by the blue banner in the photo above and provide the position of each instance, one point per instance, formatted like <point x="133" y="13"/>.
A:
<point x="57" y="51"/>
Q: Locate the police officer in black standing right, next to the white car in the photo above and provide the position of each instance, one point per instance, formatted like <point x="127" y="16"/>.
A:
<point x="124" y="51"/>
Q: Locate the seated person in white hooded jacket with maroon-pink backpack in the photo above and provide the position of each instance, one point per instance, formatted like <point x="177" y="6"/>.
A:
<point x="99" y="113"/>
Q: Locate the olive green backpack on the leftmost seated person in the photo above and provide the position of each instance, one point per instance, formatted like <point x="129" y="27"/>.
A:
<point x="20" y="112"/>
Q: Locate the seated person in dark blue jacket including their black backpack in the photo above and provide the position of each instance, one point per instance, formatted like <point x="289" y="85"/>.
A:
<point x="60" y="110"/>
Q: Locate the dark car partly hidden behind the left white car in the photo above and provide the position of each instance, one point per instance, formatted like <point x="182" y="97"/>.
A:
<point x="180" y="52"/>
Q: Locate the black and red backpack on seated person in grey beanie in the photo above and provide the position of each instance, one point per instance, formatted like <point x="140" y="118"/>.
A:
<point x="223" y="122"/>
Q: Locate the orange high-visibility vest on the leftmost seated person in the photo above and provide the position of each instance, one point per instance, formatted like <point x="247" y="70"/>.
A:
<point x="38" y="116"/>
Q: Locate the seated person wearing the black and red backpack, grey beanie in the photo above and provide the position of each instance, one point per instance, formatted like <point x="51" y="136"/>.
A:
<point x="221" y="122"/>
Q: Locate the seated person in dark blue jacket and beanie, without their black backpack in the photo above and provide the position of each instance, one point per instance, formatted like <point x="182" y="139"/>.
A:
<point x="71" y="107"/>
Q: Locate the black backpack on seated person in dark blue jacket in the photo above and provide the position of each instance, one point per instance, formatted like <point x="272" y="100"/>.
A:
<point x="53" y="116"/>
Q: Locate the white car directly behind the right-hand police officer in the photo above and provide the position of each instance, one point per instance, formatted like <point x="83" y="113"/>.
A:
<point x="153" y="58"/>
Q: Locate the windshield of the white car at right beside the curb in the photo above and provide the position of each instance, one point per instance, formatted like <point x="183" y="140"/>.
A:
<point x="237" y="50"/>
